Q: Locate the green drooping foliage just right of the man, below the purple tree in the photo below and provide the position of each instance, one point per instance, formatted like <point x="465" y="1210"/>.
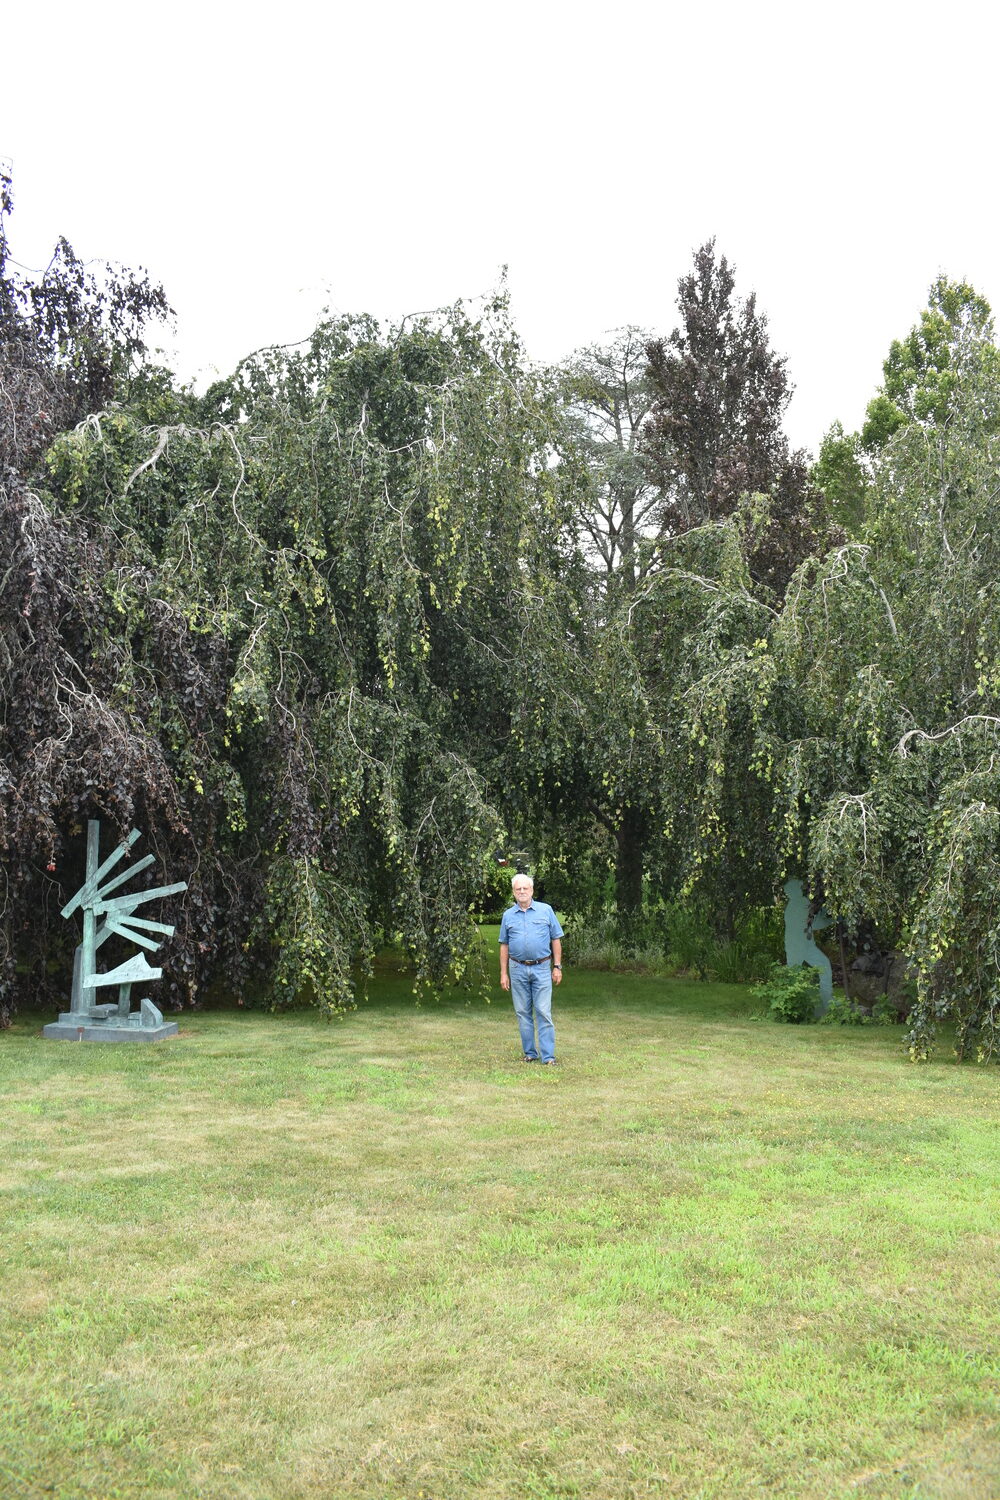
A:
<point x="629" y="761"/>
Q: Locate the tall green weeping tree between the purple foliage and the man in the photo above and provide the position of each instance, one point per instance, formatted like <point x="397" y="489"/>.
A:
<point x="349" y="524"/>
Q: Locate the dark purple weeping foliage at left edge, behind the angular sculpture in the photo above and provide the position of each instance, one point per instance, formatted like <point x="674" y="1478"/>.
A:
<point x="71" y="742"/>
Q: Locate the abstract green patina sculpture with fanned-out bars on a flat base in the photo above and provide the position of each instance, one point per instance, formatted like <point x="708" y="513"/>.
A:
<point x="107" y="916"/>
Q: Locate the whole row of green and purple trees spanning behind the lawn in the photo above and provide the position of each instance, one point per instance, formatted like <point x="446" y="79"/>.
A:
<point x="391" y="599"/>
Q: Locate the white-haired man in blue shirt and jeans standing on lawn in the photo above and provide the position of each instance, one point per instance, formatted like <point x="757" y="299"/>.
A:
<point x="531" y="961"/>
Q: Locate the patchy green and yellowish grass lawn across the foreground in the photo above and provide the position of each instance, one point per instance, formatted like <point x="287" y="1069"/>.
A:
<point x="707" y="1256"/>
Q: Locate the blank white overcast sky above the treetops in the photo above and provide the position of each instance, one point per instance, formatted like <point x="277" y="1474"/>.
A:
<point x="266" y="163"/>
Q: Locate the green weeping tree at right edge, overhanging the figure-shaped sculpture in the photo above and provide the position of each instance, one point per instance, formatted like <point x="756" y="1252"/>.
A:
<point x="864" y="719"/>
